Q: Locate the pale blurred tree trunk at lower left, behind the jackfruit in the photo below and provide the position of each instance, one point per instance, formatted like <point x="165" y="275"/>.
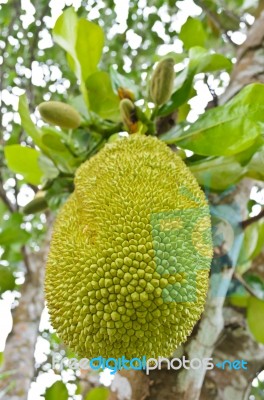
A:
<point x="20" y="346"/>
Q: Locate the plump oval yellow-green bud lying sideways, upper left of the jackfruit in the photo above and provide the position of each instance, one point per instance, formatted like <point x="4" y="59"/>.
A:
<point x="61" y="114"/>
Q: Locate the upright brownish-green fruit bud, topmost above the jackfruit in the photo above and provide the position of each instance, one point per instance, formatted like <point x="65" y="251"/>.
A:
<point x="161" y="84"/>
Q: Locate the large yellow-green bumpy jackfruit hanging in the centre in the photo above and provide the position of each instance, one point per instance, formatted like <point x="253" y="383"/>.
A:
<point x="127" y="272"/>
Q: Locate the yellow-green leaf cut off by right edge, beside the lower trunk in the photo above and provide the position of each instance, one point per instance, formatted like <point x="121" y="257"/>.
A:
<point x="255" y="320"/>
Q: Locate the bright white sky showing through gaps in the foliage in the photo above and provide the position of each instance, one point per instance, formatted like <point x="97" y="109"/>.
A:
<point x="198" y="104"/>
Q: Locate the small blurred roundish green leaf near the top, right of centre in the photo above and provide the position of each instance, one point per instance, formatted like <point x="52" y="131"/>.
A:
<point x="192" y="33"/>
